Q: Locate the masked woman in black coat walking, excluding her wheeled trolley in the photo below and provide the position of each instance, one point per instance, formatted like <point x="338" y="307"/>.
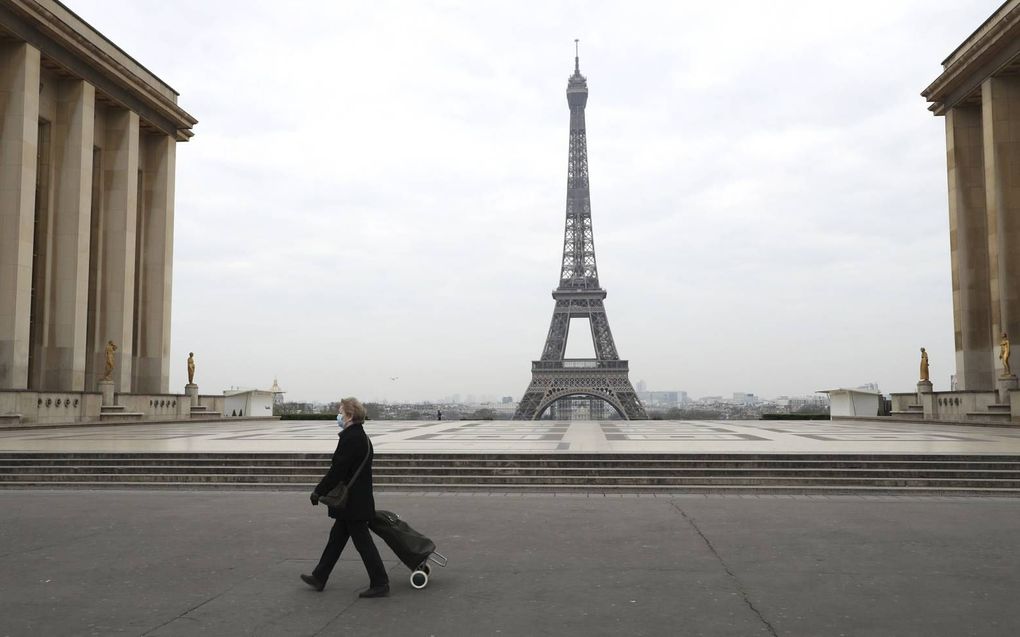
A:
<point x="351" y="521"/>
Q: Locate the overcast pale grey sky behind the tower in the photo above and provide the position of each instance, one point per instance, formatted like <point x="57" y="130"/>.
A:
<point x="376" y="190"/>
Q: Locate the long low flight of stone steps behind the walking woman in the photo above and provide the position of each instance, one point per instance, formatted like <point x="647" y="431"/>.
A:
<point x="965" y="475"/>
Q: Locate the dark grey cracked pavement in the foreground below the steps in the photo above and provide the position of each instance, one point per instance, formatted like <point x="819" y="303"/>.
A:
<point x="227" y="563"/>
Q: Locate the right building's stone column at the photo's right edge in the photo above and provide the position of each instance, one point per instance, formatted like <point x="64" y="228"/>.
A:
<point x="1001" y="116"/>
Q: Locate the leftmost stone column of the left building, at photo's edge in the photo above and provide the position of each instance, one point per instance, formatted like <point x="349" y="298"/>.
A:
<point x="20" y="69"/>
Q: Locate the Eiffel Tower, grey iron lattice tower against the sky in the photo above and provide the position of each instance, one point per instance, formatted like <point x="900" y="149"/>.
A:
<point x="579" y="296"/>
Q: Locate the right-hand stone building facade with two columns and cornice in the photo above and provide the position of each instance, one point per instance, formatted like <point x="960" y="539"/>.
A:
<point x="979" y="94"/>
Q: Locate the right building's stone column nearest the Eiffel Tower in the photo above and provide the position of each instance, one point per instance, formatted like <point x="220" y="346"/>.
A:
<point x="970" y="248"/>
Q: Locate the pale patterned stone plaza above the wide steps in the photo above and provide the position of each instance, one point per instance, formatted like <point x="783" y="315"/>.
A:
<point x="525" y="438"/>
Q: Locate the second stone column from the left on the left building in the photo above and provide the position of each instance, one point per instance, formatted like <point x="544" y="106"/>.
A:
<point x="65" y="345"/>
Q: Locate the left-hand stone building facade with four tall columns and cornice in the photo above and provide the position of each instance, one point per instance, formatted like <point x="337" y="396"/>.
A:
<point x="88" y="140"/>
